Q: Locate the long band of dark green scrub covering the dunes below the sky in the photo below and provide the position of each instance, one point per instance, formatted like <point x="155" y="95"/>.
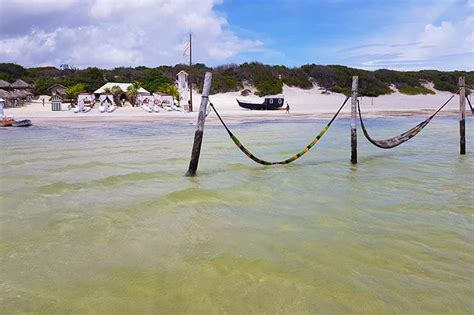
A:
<point x="267" y="79"/>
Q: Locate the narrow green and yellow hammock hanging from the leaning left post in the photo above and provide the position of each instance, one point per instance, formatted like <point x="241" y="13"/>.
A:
<point x="287" y="161"/>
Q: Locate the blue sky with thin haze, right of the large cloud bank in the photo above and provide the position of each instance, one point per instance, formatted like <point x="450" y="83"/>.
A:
<point x="352" y="32"/>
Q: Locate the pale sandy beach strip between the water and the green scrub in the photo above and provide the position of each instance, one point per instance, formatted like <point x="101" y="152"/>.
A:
<point x="304" y="104"/>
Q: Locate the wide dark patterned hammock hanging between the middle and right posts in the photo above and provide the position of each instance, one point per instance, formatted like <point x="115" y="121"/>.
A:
<point x="404" y="137"/>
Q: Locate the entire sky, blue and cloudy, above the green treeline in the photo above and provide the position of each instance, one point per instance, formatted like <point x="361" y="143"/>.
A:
<point x="400" y="35"/>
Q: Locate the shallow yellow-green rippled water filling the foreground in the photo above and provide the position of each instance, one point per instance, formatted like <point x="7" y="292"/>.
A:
<point x="102" y="220"/>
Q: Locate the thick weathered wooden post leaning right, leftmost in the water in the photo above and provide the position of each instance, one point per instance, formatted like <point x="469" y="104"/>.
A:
<point x="200" y="126"/>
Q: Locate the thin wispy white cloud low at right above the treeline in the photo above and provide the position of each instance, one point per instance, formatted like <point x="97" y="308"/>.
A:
<point x="446" y="45"/>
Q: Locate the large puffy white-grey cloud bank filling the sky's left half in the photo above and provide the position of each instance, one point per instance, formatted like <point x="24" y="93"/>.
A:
<point x="110" y="33"/>
